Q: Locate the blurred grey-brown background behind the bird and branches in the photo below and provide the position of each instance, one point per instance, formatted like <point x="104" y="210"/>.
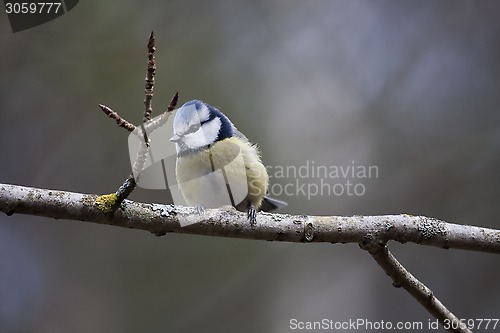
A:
<point x="409" y="87"/>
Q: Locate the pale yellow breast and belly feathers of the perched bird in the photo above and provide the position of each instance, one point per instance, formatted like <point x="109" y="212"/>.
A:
<point x="230" y="172"/>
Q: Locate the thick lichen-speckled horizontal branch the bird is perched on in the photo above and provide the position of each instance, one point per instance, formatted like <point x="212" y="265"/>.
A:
<point x="228" y="222"/>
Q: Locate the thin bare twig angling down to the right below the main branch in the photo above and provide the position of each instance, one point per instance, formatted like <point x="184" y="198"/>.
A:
<point x="403" y="278"/>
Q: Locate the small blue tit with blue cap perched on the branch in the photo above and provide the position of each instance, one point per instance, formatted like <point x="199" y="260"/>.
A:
<point x="216" y="164"/>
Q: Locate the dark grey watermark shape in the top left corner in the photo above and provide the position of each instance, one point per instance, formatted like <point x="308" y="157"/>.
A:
<point x="28" y="14"/>
